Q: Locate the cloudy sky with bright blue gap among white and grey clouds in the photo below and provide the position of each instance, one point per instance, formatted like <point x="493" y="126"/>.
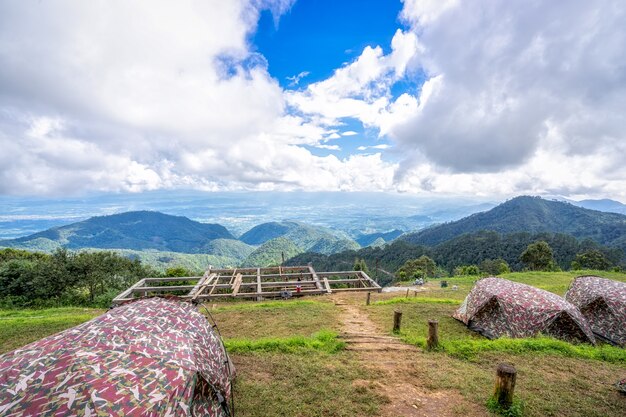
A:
<point x="460" y="97"/>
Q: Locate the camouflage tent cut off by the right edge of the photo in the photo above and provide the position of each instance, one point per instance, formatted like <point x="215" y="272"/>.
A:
<point x="603" y="303"/>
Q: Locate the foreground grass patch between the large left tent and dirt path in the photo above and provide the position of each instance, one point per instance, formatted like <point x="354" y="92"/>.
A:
<point x="315" y="385"/>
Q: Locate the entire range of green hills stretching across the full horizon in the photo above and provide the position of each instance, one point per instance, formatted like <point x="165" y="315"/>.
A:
<point x="163" y="239"/>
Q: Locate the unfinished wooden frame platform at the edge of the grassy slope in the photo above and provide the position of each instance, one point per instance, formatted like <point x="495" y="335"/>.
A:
<point x="259" y="283"/>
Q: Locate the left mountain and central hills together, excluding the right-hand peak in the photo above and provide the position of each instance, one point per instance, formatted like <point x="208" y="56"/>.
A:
<point x="160" y="238"/>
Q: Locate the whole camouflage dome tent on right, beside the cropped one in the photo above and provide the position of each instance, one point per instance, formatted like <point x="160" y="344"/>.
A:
<point x="497" y="307"/>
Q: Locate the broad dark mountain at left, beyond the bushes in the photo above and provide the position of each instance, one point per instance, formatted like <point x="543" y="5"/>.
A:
<point x="137" y="230"/>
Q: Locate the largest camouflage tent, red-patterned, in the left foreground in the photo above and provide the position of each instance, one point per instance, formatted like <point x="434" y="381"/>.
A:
<point x="150" y="357"/>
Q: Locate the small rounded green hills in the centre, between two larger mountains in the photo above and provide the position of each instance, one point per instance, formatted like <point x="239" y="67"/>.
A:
<point x="306" y="237"/>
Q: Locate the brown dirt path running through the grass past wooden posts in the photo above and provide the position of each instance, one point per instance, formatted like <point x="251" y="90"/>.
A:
<point x="392" y="359"/>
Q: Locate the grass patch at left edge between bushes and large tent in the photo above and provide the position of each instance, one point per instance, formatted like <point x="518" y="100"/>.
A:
<point x="20" y="327"/>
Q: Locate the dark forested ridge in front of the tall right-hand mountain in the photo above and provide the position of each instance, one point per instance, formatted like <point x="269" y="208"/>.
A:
<point x="486" y="249"/>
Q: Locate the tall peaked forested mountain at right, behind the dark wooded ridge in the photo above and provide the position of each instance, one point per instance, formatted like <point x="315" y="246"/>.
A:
<point x="533" y="215"/>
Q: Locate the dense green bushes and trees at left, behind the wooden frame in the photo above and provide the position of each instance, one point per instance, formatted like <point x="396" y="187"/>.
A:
<point x="32" y="279"/>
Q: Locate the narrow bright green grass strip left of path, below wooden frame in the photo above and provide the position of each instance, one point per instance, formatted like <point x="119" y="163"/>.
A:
<point x="324" y="340"/>
